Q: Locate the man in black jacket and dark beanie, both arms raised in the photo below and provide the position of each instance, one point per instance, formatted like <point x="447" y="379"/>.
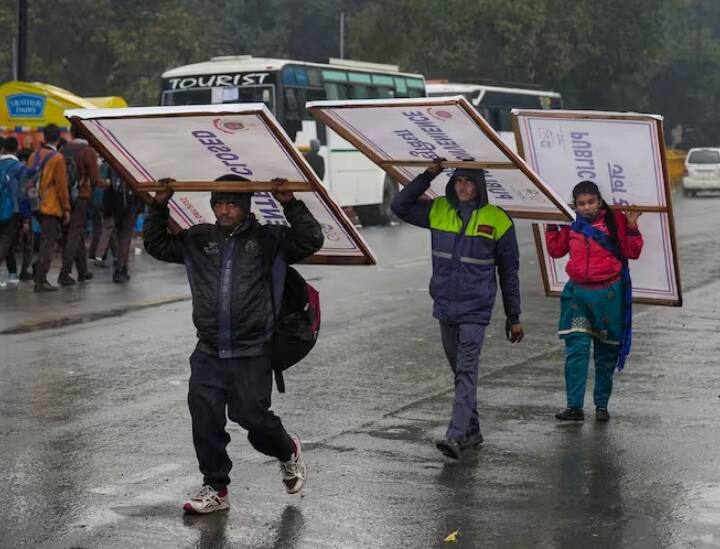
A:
<point x="233" y="314"/>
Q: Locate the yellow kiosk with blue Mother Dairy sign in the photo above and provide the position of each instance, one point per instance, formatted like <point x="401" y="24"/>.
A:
<point x="26" y="107"/>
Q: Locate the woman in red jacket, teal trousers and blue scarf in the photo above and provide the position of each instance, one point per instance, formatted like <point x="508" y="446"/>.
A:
<point x="596" y="302"/>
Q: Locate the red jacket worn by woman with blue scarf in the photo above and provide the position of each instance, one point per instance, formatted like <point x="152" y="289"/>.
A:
<point x="589" y="262"/>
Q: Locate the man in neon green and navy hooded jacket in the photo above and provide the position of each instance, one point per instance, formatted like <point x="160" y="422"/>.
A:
<point x="471" y="240"/>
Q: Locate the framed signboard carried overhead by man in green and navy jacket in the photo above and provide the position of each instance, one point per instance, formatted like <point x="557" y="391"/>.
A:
<point x="403" y="136"/>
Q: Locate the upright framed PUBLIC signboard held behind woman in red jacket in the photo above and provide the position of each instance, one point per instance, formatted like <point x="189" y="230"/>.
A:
<point x="625" y="156"/>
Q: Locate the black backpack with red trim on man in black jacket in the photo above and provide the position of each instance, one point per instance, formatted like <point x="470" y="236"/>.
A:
<point x="297" y="311"/>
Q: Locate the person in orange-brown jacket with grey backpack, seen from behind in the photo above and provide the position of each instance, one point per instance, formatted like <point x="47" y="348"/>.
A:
<point x="54" y="201"/>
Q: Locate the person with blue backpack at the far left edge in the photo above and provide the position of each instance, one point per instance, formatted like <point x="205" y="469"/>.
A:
<point x="10" y="220"/>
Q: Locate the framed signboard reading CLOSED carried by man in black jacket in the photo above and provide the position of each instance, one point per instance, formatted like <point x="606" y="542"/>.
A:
<point x="197" y="145"/>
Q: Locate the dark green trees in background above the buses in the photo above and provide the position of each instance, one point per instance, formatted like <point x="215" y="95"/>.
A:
<point x="647" y="55"/>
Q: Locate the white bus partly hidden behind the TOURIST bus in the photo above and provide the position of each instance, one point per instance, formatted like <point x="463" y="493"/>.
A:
<point x="494" y="103"/>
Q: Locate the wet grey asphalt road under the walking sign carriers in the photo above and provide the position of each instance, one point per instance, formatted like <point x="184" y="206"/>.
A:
<point x="95" y="437"/>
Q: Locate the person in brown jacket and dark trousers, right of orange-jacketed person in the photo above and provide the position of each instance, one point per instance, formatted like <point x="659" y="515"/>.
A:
<point x="81" y="162"/>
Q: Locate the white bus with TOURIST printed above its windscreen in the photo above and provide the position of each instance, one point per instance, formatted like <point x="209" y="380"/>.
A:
<point x="285" y="86"/>
